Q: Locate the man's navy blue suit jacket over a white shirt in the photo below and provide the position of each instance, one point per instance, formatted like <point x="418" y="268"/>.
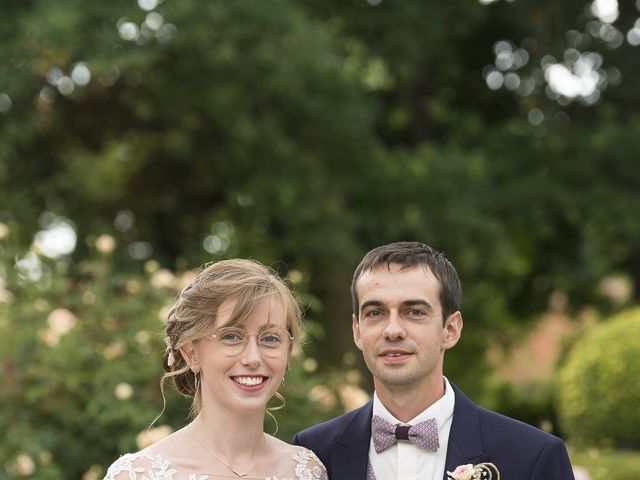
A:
<point x="520" y="451"/>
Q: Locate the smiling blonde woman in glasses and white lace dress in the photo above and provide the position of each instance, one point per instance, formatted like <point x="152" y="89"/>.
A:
<point x="229" y="337"/>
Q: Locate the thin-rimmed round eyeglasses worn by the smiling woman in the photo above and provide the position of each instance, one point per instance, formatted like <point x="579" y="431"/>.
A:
<point x="271" y="342"/>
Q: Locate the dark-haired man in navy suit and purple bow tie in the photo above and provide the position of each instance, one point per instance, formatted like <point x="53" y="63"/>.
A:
<point x="406" y="314"/>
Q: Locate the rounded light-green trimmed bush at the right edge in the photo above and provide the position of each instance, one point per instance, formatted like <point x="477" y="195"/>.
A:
<point x="598" y="387"/>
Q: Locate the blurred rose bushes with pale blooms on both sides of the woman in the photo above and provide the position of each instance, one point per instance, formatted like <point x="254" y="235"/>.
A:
<point x="80" y="351"/>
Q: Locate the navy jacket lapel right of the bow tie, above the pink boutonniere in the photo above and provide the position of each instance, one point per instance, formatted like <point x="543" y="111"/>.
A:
<point x="465" y="438"/>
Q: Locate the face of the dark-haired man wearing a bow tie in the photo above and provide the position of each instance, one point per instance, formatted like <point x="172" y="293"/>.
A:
<point x="400" y="327"/>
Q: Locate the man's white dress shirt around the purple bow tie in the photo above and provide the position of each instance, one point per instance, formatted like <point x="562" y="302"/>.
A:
<point x="406" y="461"/>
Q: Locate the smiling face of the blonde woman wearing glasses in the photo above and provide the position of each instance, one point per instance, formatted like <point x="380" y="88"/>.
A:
<point x="242" y="365"/>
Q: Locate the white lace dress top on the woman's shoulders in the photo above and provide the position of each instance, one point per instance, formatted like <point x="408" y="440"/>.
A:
<point x="139" y="466"/>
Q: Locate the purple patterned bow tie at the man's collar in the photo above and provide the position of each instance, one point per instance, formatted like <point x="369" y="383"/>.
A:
<point x="385" y="434"/>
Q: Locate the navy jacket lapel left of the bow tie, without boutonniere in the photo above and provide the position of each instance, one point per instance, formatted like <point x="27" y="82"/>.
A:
<point x="350" y="453"/>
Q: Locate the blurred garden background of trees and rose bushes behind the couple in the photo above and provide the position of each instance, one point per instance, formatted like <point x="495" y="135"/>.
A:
<point x="141" y="139"/>
